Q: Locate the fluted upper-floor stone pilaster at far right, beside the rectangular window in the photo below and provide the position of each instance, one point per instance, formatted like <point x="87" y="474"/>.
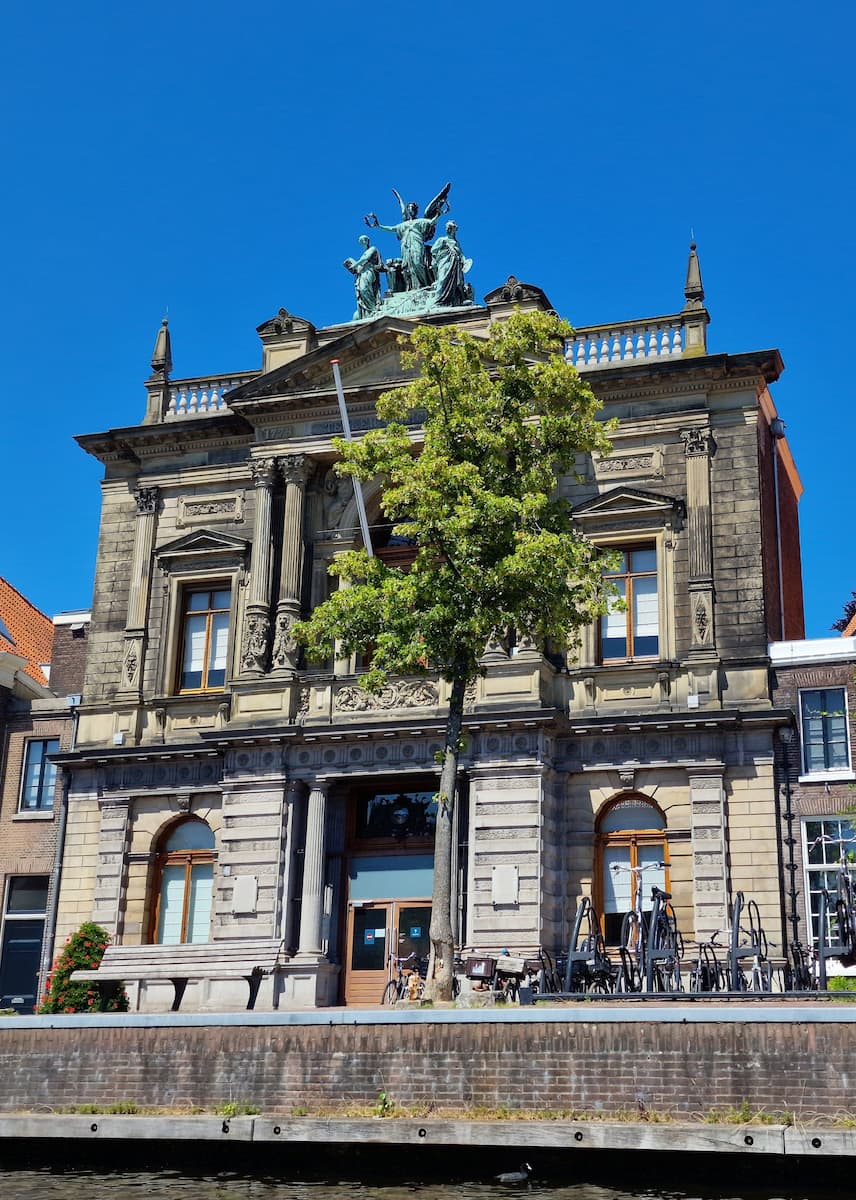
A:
<point x="699" y="447"/>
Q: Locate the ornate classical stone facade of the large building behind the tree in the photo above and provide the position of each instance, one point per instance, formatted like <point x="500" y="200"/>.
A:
<point x="222" y="790"/>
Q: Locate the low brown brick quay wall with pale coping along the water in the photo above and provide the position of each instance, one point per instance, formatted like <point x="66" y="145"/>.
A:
<point x="680" y="1061"/>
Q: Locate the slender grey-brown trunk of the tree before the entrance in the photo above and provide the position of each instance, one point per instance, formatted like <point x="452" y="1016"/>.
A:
<point x="441" y="961"/>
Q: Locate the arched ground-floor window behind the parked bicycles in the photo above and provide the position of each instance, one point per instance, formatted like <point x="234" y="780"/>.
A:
<point x="631" y="836"/>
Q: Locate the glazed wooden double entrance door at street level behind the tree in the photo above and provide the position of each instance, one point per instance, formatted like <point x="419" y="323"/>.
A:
<point x="379" y="929"/>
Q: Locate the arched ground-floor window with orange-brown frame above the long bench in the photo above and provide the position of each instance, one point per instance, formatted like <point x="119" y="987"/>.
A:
<point x="185" y="884"/>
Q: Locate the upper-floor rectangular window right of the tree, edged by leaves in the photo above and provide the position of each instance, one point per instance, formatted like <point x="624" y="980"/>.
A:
<point x="632" y="632"/>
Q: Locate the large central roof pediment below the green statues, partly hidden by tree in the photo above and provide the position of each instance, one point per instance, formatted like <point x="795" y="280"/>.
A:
<point x="368" y="355"/>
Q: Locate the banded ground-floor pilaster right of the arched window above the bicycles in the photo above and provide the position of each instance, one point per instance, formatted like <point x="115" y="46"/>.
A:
<point x="710" y="873"/>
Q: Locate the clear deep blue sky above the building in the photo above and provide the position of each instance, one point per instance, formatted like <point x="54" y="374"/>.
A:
<point x="218" y="159"/>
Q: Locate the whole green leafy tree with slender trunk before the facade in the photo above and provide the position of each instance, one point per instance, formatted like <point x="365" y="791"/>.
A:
<point x="469" y="459"/>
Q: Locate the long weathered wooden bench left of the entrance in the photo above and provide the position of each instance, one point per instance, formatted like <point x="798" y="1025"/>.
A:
<point x="250" y="959"/>
